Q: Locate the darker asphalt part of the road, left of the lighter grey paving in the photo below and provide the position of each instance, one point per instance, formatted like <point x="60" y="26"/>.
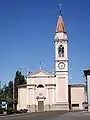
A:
<point x="33" y="116"/>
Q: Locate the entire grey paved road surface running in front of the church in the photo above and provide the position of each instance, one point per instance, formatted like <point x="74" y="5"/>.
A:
<point x="49" y="116"/>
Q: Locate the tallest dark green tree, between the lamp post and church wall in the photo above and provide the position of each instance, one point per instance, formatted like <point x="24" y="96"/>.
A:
<point x="19" y="80"/>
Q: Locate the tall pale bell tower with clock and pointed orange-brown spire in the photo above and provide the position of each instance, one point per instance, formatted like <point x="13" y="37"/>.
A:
<point x="61" y="64"/>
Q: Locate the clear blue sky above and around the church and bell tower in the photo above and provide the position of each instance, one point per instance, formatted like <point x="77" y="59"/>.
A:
<point x="27" y="29"/>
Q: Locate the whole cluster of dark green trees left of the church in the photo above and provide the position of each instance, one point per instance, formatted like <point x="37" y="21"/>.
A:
<point x="6" y="92"/>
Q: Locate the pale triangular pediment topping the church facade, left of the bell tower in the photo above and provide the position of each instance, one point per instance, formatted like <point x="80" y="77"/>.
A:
<point x="42" y="73"/>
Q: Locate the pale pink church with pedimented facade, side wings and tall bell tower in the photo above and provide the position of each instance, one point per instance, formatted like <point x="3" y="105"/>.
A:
<point x="47" y="91"/>
